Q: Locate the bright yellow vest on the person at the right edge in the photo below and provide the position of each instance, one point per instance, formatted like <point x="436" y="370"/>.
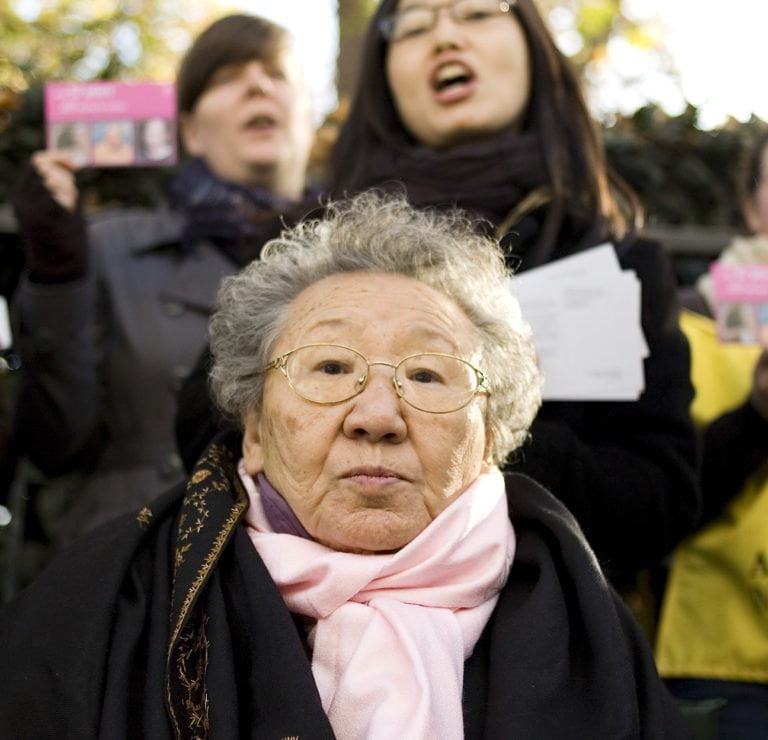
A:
<point x="714" y="619"/>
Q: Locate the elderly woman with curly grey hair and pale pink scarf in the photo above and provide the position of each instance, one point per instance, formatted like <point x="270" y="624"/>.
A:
<point x="352" y="564"/>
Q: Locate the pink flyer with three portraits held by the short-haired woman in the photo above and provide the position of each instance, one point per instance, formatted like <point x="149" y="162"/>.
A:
<point x="112" y="124"/>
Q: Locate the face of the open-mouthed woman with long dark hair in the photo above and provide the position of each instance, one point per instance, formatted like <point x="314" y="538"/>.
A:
<point x="459" y="82"/>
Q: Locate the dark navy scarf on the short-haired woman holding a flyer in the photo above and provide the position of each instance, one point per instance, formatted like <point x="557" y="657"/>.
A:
<point x="238" y="219"/>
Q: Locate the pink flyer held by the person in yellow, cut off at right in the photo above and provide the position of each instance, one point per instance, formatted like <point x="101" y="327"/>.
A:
<point x="741" y="302"/>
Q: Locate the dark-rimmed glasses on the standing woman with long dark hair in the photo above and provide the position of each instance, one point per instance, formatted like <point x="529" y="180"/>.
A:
<point x="418" y="19"/>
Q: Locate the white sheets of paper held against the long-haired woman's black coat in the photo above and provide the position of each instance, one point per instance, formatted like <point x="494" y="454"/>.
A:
<point x="585" y="315"/>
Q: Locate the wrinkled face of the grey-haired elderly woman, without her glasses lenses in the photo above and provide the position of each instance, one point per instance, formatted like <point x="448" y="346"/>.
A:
<point x="368" y="474"/>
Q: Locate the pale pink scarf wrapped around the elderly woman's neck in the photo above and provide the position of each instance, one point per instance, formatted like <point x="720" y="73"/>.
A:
<point x="393" y="631"/>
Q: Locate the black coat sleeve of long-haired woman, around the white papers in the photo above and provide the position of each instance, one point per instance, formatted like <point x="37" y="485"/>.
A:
<point x="627" y="469"/>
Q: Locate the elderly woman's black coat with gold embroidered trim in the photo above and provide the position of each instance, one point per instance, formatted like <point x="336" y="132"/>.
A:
<point x="166" y="622"/>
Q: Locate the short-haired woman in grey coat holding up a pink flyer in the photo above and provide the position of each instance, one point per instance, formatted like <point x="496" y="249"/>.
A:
<point x="113" y="309"/>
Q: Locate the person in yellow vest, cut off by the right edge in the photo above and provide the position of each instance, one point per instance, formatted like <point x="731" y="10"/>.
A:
<point x="712" y="638"/>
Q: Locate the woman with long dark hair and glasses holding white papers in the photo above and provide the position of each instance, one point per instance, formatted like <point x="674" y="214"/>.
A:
<point x="470" y="103"/>
